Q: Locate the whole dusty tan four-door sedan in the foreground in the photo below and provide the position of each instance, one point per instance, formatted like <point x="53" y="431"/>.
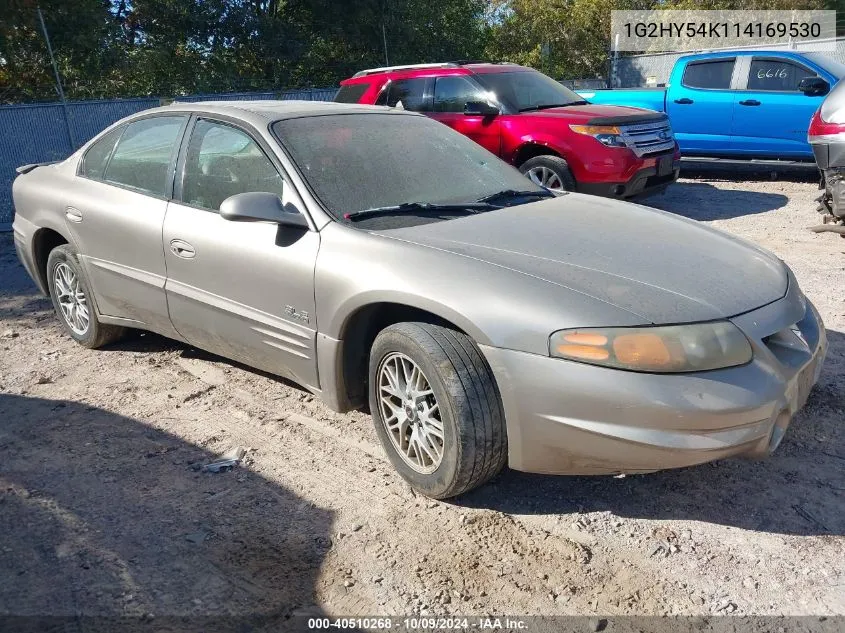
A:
<point x="555" y="333"/>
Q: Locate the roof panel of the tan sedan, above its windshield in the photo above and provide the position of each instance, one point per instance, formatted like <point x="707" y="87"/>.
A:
<point x="262" y="112"/>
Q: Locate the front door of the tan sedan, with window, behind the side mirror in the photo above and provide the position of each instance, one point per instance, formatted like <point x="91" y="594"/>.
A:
<point x="244" y="290"/>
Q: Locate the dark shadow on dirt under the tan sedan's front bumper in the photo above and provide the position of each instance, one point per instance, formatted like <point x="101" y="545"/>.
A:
<point x="799" y="490"/>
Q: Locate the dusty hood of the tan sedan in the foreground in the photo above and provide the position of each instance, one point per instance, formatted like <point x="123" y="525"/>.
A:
<point x="656" y="265"/>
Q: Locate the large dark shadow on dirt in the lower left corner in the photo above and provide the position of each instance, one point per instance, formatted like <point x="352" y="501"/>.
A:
<point x="84" y="537"/>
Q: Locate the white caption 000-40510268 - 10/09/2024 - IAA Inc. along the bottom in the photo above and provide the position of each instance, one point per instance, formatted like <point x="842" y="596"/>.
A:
<point x="419" y="624"/>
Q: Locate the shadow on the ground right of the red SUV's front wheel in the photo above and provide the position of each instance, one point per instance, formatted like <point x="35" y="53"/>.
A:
<point x="702" y="201"/>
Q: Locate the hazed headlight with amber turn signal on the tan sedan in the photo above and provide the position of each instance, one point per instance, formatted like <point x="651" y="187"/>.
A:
<point x="664" y="349"/>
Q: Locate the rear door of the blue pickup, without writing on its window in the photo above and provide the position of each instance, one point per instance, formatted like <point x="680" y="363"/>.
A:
<point x="701" y="108"/>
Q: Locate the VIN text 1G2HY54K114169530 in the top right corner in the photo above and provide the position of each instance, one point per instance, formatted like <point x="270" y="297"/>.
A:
<point x="750" y="30"/>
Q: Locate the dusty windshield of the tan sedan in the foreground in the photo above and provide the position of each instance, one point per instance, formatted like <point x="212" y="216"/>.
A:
<point x="354" y="162"/>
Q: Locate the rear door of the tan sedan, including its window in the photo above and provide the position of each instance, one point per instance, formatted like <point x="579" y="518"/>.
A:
<point x="115" y="214"/>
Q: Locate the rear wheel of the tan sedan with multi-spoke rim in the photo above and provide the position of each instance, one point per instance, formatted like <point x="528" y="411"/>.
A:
<point x="94" y="334"/>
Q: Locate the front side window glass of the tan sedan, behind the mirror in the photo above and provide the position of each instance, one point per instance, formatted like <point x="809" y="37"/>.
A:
<point x="222" y="161"/>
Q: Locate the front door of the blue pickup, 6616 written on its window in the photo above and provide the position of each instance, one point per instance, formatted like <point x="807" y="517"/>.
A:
<point x="771" y="115"/>
